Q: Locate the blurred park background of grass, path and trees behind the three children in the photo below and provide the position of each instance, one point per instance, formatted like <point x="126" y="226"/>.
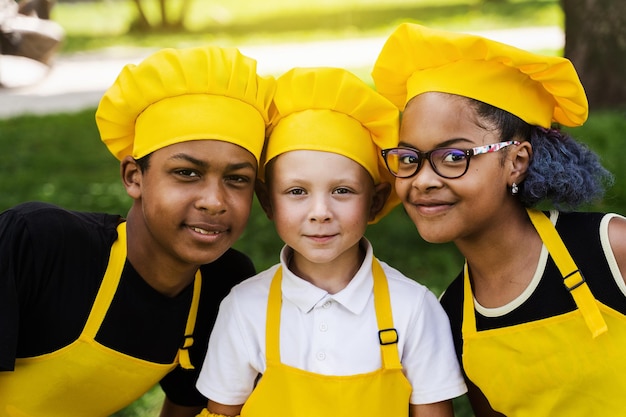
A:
<point x="50" y="148"/>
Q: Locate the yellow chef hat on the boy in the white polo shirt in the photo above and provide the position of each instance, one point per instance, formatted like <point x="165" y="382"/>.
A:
<point x="332" y="110"/>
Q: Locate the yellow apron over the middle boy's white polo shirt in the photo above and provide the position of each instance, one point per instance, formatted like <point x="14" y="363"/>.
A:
<point x="290" y="392"/>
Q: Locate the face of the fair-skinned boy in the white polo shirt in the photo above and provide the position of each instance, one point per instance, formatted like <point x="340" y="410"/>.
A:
<point x="321" y="203"/>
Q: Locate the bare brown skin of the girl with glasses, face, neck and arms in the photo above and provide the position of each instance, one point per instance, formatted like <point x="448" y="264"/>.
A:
<point x="475" y="210"/>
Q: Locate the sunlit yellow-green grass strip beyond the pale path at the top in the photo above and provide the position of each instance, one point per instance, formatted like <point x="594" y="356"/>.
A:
<point x="91" y="25"/>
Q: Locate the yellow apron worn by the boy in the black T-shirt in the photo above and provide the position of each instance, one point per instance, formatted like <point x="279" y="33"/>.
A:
<point x="86" y="379"/>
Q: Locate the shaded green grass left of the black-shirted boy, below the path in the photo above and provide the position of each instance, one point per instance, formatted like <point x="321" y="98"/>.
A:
<point x="58" y="159"/>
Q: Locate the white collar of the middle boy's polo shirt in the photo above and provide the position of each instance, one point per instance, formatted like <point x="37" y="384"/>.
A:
<point x="306" y="296"/>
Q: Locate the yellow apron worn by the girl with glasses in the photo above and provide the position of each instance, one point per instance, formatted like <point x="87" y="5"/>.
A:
<point x="568" y="365"/>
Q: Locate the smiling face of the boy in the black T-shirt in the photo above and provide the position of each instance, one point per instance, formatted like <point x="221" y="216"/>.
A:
<point x="196" y="198"/>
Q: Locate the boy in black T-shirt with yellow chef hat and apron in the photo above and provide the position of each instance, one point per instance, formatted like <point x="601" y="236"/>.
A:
<point x="96" y="309"/>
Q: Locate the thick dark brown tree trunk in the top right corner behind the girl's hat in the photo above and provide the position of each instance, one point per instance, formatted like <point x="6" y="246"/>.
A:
<point x="595" y="42"/>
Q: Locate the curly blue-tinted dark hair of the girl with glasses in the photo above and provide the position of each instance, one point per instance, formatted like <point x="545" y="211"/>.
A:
<point x="563" y="171"/>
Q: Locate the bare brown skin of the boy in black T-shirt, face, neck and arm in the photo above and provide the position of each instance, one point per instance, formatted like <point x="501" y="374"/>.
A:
<point x="189" y="207"/>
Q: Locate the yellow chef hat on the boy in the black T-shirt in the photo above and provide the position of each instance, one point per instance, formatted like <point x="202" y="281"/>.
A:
<point x="178" y="95"/>
